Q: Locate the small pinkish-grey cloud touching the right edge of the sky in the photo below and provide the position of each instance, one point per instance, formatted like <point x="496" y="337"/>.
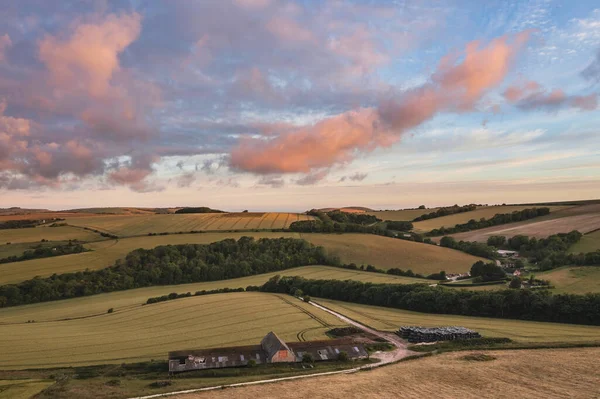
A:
<point x="532" y="96"/>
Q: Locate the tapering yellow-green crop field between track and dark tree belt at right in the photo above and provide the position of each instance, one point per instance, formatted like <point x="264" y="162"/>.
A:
<point x="518" y="330"/>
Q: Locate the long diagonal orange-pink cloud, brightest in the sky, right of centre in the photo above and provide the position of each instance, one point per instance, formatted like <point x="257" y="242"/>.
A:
<point x="456" y="85"/>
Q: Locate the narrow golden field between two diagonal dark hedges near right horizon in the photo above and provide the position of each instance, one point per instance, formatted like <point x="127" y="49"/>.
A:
<point x="486" y="212"/>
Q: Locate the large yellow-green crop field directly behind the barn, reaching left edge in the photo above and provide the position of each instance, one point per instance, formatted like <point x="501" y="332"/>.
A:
<point x="149" y="332"/>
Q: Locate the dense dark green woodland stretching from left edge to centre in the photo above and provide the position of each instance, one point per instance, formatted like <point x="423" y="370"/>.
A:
<point x="171" y="264"/>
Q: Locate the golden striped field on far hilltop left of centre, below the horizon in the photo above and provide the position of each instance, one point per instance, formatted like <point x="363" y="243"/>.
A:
<point x="134" y="225"/>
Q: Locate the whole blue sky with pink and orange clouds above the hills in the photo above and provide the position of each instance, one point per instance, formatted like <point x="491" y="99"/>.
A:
<point x="291" y="105"/>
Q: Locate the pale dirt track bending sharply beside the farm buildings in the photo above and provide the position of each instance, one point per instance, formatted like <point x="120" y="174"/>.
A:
<point x="384" y="358"/>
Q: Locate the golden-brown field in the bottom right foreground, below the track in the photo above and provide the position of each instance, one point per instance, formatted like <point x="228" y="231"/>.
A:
<point x="533" y="374"/>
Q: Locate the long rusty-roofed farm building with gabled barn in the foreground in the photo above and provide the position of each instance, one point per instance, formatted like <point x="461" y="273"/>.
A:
<point x="271" y="350"/>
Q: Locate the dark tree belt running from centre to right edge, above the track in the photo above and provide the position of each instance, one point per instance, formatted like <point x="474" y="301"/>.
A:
<point x="507" y="304"/>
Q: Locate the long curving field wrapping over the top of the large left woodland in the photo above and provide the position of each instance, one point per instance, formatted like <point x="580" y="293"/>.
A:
<point x="379" y="251"/>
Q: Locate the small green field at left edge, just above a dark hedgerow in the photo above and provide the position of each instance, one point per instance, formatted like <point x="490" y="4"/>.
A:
<point x="36" y="234"/>
